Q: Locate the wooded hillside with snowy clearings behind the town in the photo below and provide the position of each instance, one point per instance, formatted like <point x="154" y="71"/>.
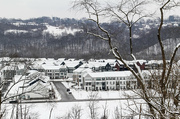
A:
<point x="55" y="37"/>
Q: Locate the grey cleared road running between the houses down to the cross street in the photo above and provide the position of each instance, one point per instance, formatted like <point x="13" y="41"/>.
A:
<point x="65" y="96"/>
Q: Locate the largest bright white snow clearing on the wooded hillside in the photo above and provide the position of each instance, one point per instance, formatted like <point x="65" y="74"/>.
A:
<point x="57" y="31"/>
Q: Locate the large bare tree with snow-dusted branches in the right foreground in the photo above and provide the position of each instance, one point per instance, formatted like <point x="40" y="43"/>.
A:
<point x="163" y="105"/>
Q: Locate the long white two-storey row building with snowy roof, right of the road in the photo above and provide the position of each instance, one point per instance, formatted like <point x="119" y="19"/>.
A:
<point x="118" y="80"/>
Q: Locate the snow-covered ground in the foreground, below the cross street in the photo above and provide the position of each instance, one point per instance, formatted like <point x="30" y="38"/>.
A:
<point x="62" y="109"/>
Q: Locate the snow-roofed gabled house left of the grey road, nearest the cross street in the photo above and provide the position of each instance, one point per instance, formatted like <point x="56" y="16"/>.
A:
<point x="35" y="85"/>
